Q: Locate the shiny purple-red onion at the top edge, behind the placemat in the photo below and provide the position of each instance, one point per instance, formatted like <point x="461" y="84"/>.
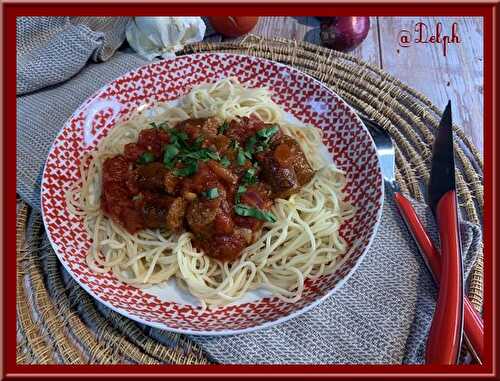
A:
<point x="344" y="33"/>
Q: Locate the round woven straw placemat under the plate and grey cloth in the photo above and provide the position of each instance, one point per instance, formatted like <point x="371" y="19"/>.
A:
<point x="58" y="322"/>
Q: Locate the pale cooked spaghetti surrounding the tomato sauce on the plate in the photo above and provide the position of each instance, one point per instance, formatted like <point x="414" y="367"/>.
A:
<point x="303" y="243"/>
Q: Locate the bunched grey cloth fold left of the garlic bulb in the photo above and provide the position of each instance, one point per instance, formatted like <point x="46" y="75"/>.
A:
<point x="51" y="50"/>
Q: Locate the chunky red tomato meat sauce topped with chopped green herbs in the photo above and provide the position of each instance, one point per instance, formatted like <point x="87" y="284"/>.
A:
<point x="216" y="180"/>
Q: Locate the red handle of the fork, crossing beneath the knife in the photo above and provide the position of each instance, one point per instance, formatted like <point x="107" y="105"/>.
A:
<point x="473" y="323"/>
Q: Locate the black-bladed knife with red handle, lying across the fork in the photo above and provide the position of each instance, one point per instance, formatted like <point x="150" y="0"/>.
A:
<point x="445" y="337"/>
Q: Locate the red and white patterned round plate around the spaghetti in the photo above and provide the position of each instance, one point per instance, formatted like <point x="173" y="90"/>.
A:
<point x="346" y="138"/>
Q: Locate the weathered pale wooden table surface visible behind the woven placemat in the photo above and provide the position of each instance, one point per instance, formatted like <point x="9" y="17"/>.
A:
<point x="458" y="76"/>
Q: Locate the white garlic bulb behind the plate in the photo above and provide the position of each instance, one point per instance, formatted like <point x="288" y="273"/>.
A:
<point x="163" y="36"/>
